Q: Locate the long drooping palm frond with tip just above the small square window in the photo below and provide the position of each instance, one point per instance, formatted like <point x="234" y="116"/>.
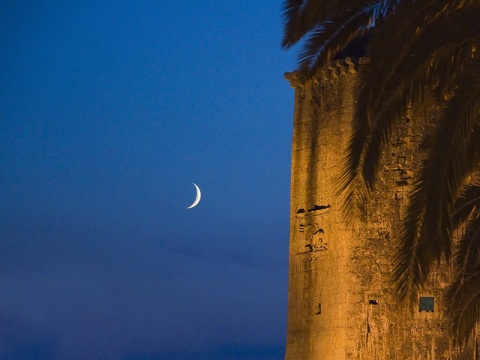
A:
<point x="428" y="226"/>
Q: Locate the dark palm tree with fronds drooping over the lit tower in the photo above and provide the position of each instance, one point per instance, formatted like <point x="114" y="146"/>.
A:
<point x="418" y="50"/>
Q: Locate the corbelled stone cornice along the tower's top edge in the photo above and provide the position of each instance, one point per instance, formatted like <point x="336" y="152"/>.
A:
<point x="335" y="69"/>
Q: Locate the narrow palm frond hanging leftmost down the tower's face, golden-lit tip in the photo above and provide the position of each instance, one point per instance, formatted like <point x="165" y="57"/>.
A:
<point x="372" y="75"/>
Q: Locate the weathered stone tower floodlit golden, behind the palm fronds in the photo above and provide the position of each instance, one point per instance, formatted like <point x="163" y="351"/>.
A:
<point x="341" y="304"/>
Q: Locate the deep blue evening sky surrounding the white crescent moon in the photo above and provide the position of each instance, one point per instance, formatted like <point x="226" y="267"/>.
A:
<point x="109" y="110"/>
